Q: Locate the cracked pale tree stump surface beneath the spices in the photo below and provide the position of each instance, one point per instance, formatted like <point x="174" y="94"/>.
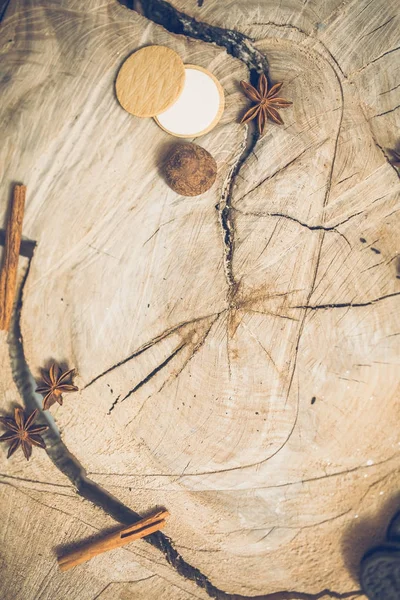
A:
<point x="237" y="352"/>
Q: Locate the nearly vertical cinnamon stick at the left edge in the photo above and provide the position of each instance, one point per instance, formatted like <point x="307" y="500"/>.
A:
<point x="8" y="274"/>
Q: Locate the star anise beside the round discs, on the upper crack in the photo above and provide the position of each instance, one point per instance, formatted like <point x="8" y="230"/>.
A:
<point x="266" y="103"/>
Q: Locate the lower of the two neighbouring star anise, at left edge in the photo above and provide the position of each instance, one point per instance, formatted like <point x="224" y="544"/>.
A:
<point x="22" y="432"/>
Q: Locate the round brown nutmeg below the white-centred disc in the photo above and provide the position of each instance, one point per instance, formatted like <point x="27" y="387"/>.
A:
<point x="190" y="170"/>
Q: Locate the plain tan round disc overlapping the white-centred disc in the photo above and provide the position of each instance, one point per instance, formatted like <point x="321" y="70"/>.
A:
<point x="150" y="81"/>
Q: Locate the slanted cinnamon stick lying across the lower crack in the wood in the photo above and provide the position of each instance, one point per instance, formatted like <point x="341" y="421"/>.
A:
<point x="114" y="540"/>
